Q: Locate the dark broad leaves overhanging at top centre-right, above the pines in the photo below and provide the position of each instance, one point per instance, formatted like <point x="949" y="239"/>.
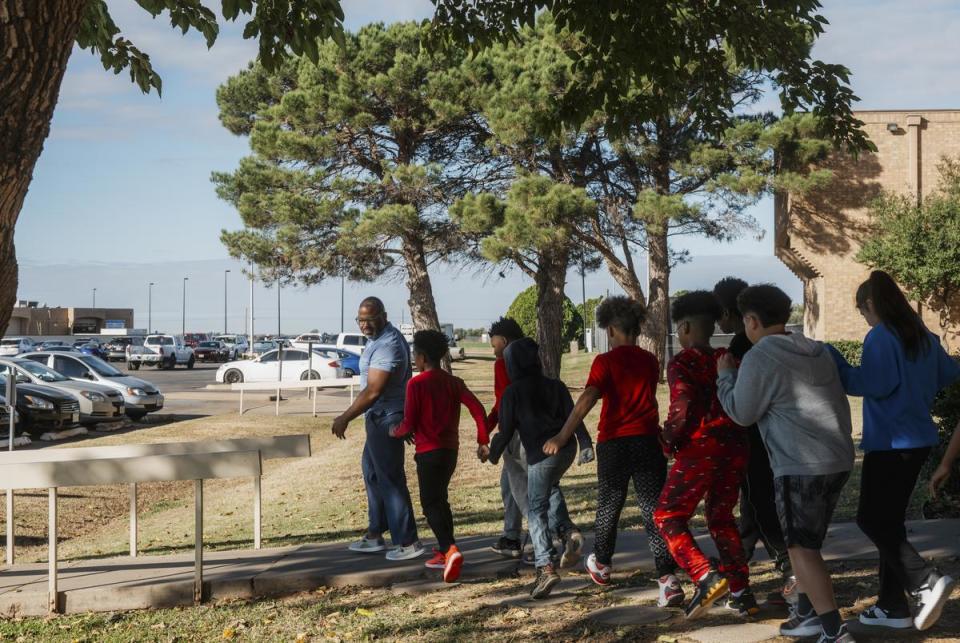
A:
<point x="660" y="46"/>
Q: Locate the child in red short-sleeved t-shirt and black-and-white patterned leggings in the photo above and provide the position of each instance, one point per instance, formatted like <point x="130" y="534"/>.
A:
<point x="625" y="378"/>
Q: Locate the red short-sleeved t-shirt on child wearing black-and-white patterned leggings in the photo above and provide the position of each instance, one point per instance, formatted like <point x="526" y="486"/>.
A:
<point x="627" y="378"/>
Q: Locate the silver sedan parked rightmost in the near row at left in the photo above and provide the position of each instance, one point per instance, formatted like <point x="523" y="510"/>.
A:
<point x="139" y="396"/>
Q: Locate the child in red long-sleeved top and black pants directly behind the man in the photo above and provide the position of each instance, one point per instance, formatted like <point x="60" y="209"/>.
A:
<point x="432" y="418"/>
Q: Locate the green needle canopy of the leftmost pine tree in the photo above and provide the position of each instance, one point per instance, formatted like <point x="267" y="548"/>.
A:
<point x="355" y="157"/>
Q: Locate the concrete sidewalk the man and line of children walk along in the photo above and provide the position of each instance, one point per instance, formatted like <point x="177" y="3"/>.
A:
<point x="167" y="581"/>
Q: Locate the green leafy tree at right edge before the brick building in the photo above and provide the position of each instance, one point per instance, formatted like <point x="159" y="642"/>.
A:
<point x="919" y="244"/>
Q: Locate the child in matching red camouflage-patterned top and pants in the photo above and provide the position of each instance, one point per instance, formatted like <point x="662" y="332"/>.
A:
<point x="710" y="457"/>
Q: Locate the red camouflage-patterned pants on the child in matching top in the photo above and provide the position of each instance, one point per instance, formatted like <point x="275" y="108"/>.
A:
<point x="705" y="469"/>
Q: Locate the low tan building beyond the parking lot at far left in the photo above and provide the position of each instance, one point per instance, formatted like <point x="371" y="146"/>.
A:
<point x="30" y="319"/>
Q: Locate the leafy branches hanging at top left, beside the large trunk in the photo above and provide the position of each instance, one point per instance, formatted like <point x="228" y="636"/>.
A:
<point x="283" y="27"/>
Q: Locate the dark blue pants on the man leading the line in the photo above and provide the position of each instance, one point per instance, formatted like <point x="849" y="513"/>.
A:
<point x="388" y="500"/>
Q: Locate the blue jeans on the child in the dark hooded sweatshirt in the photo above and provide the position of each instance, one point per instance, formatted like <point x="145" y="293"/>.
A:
<point x="543" y="481"/>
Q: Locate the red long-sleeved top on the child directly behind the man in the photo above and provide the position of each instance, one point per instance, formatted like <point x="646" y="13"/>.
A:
<point x="432" y="411"/>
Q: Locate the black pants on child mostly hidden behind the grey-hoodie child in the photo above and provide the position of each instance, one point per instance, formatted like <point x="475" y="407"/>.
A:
<point x="758" y="508"/>
